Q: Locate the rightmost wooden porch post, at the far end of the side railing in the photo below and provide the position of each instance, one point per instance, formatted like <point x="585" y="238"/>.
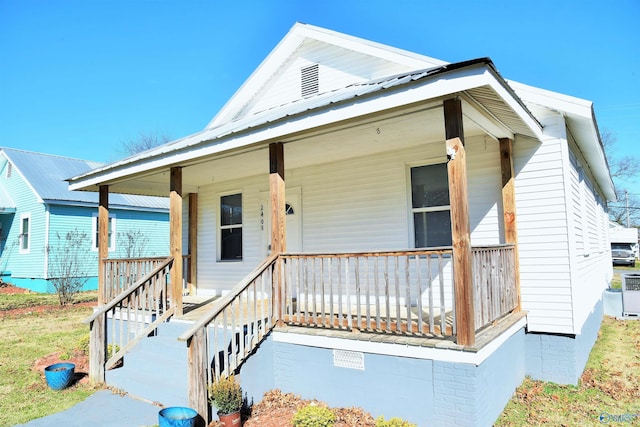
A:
<point x="509" y="207"/>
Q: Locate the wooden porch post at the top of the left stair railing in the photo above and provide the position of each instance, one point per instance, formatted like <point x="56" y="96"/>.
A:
<point x="175" y="237"/>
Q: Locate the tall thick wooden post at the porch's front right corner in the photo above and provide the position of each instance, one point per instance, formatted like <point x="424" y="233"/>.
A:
<point x="460" y="230"/>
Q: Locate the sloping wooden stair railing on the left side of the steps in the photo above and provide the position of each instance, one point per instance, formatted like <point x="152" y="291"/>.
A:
<point x="128" y="317"/>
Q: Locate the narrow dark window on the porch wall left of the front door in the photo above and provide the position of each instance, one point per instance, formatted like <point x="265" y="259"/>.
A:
<point x="231" y="227"/>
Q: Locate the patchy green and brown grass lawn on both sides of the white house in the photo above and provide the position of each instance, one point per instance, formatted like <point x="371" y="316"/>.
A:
<point x="609" y="385"/>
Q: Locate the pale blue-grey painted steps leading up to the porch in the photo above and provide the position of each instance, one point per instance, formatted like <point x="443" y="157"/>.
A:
<point x="156" y="368"/>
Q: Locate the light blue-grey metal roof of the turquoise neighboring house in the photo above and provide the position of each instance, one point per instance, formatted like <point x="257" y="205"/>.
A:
<point x="46" y="175"/>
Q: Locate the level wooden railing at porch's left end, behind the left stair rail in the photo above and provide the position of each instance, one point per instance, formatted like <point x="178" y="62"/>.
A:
<point x="121" y="273"/>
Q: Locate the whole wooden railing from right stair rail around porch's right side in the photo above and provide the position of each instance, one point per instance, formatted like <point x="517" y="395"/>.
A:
<point x="401" y="292"/>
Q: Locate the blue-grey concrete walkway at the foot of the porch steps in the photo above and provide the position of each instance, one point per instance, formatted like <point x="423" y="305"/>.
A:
<point x="105" y="409"/>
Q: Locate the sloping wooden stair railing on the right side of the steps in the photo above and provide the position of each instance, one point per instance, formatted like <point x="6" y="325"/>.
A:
<point x="220" y="341"/>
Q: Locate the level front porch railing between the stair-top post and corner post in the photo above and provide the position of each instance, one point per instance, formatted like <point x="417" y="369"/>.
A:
<point x="408" y="292"/>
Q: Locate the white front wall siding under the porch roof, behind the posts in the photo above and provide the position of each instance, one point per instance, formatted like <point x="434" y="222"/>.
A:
<point x="358" y="204"/>
